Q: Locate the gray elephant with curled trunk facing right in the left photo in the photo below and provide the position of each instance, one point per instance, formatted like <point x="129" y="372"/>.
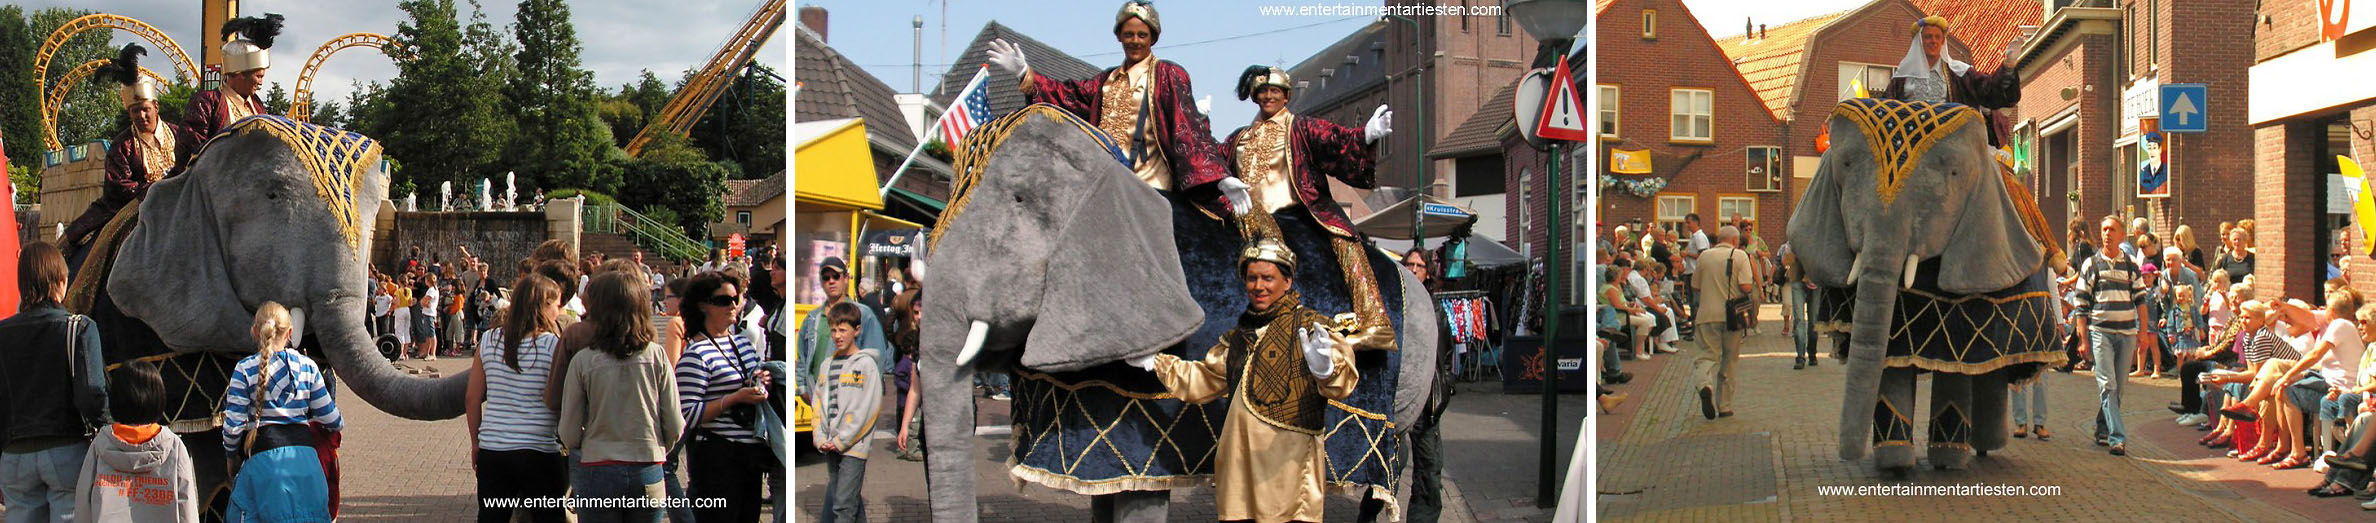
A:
<point x="272" y="210"/>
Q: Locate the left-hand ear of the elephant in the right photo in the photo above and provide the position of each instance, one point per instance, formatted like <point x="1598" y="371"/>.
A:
<point x="1816" y="229"/>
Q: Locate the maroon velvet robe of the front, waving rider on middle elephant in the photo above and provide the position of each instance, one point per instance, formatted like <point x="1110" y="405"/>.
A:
<point x="1187" y="139"/>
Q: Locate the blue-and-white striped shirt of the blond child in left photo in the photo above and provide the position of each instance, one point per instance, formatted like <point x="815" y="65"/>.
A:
<point x="293" y="396"/>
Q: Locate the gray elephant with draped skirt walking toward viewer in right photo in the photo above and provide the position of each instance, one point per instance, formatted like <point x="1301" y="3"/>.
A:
<point x="1914" y="229"/>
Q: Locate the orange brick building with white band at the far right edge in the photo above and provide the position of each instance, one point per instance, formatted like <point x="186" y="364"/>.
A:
<point x="2313" y="99"/>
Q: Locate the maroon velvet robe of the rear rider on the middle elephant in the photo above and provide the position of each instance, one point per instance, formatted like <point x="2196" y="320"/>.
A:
<point x="1320" y="149"/>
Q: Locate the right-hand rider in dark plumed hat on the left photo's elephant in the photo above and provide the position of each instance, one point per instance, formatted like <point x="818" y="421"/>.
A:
<point x="246" y="56"/>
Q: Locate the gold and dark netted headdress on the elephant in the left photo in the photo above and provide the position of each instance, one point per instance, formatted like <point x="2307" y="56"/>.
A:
<point x="334" y="158"/>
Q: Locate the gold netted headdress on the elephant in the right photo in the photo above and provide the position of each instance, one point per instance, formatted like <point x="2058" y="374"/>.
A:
<point x="1900" y="134"/>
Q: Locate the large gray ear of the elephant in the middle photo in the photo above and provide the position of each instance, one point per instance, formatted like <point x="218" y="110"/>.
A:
<point x="1116" y="286"/>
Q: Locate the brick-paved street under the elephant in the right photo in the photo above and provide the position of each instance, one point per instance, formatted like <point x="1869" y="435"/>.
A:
<point x="1664" y="462"/>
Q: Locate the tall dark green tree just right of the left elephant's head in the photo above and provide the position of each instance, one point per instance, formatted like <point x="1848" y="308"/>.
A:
<point x="448" y="130"/>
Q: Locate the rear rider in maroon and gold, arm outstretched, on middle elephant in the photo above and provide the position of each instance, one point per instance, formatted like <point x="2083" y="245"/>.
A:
<point x="1284" y="165"/>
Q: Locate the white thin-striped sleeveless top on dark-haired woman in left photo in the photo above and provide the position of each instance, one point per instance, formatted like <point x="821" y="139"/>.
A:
<point x="514" y="415"/>
